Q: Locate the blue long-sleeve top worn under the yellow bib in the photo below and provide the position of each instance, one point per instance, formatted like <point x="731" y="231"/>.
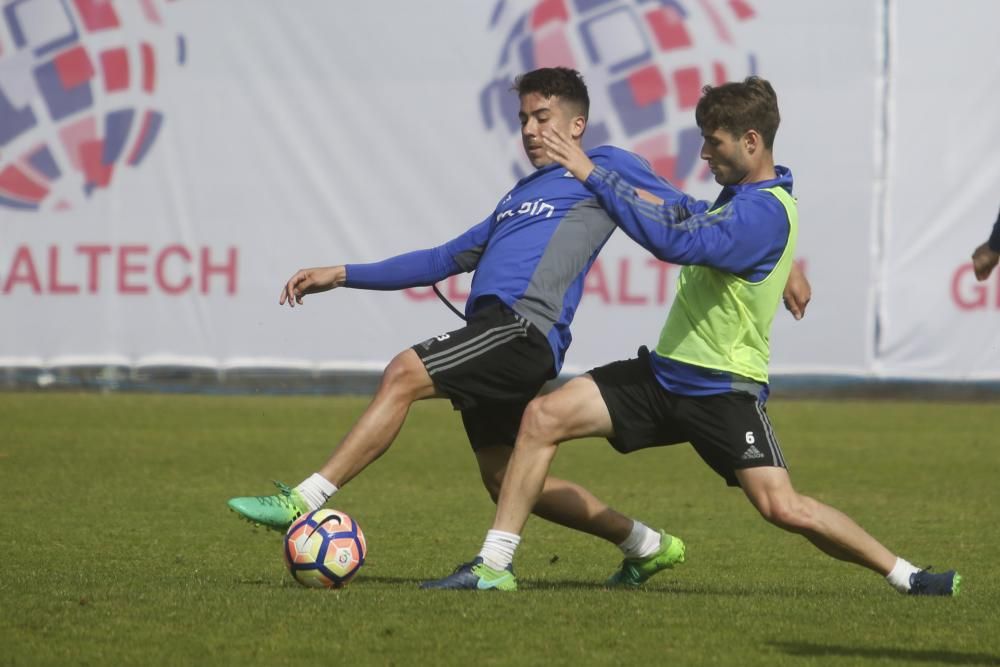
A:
<point x="746" y="238"/>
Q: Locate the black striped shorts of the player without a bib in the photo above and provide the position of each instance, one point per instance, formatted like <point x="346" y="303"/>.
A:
<point x="490" y="369"/>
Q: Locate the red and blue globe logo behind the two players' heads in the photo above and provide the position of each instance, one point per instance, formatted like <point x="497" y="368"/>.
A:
<point x="645" y="63"/>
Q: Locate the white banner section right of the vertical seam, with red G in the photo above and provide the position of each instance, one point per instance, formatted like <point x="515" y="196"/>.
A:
<point x="936" y="320"/>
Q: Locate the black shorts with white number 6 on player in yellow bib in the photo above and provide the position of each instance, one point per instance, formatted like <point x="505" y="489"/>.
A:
<point x="730" y="431"/>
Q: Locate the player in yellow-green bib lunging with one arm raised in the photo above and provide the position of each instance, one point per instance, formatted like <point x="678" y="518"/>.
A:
<point x="706" y="381"/>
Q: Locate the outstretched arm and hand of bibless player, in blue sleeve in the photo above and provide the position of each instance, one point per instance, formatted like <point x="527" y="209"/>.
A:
<point x="412" y="269"/>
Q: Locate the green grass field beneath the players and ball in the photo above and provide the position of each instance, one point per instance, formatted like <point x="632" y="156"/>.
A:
<point x="117" y="547"/>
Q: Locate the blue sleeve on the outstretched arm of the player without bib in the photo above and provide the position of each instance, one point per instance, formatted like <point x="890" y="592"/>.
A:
<point x="422" y="267"/>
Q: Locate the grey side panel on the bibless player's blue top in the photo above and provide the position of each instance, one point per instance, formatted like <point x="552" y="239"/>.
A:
<point x="580" y="234"/>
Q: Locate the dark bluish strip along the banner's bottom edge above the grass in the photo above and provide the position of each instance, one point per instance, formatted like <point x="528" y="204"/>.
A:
<point x="285" y="381"/>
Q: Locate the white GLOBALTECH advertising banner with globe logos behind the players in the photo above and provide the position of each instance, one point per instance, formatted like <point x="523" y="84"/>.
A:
<point x="166" y="166"/>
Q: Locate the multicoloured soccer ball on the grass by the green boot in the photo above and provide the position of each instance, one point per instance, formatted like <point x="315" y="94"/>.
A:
<point x="324" y="549"/>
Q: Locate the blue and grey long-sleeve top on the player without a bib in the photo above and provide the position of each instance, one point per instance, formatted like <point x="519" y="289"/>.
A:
<point x="532" y="252"/>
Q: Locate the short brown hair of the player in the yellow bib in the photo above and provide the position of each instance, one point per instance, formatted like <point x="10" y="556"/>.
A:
<point x="738" y="107"/>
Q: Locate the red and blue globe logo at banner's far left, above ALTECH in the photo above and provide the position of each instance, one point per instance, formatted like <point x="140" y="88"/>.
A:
<point x="77" y="95"/>
